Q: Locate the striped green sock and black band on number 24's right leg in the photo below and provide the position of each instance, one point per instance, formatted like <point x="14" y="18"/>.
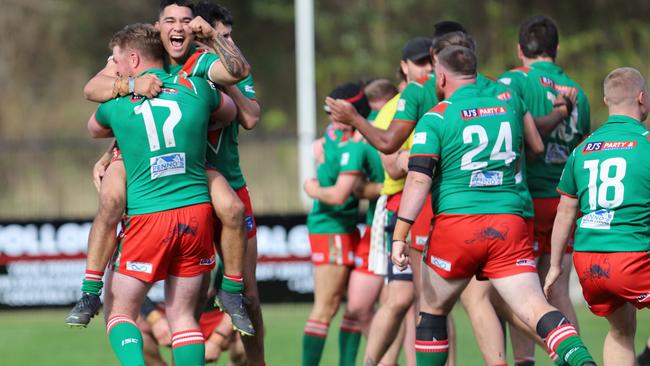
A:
<point x="562" y="338"/>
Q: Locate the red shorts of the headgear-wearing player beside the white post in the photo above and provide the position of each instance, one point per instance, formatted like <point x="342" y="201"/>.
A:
<point x="333" y="248"/>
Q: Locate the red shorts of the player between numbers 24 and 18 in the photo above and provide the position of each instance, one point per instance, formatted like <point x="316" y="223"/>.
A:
<point x="545" y="210"/>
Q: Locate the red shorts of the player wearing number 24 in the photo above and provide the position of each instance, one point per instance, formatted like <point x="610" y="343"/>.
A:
<point x="488" y="246"/>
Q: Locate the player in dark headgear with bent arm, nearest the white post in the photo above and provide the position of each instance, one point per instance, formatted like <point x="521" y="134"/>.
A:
<point x="333" y="233"/>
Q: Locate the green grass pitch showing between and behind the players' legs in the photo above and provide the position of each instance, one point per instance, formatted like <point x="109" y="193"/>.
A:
<point x="38" y="337"/>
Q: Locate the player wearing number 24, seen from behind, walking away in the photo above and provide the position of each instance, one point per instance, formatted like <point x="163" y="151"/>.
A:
<point x="476" y="153"/>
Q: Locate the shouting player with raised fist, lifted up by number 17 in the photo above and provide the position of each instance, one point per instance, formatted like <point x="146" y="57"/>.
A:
<point x="177" y="33"/>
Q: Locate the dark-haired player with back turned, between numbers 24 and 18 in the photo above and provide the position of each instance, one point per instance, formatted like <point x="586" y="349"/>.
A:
<point x="542" y="84"/>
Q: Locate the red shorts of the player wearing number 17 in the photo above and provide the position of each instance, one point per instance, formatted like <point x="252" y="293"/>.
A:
<point x="175" y="242"/>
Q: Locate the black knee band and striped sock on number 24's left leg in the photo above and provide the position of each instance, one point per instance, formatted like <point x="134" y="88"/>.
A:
<point x="431" y="343"/>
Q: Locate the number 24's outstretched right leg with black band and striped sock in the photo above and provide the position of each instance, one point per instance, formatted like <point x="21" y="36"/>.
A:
<point x="523" y="293"/>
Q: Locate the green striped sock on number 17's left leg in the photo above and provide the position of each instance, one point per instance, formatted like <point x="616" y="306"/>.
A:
<point x="126" y="340"/>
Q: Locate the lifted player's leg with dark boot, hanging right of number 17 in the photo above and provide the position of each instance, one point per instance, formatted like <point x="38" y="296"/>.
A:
<point x="230" y="211"/>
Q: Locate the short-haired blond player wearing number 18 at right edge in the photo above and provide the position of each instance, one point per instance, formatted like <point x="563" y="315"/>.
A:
<point x="606" y="181"/>
